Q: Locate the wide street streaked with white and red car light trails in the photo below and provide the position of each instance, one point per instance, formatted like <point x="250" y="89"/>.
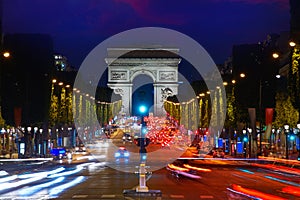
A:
<point x="94" y="175"/>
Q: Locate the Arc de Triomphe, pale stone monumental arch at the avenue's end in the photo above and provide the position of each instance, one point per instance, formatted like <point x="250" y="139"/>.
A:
<point x="161" y="64"/>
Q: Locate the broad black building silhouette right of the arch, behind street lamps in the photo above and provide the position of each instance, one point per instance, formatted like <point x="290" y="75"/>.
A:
<point x="254" y="68"/>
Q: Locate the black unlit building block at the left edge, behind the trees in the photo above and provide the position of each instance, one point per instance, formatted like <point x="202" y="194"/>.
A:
<point x="26" y="78"/>
